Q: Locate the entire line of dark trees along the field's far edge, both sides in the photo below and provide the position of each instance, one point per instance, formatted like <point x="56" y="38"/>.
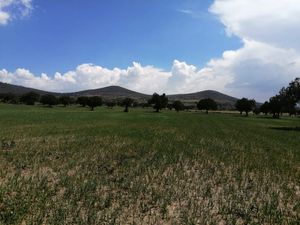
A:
<point x="284" y="102"/>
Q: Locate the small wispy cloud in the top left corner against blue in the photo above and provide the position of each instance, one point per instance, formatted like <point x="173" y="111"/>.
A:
<point x="12" y="9"/>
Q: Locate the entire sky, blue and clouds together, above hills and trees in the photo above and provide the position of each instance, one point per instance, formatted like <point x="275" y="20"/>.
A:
<point x="239" y="47"/>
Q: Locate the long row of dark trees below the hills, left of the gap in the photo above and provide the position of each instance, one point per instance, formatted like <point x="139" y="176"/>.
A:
<point x="157" y="102"/>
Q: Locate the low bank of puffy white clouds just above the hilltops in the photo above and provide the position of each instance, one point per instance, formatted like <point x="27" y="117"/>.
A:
<point x="147" y="79"/>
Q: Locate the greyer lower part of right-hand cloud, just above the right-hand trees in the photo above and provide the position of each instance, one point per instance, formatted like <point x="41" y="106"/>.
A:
<point x="258" y="70"/>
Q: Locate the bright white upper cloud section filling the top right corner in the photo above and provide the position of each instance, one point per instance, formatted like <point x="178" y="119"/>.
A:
<point x="269" y="21"/>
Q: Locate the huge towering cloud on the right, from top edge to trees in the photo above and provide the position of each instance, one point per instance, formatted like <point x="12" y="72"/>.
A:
<point x="270" y="56"/>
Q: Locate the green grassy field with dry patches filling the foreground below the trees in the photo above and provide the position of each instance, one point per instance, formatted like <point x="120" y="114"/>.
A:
<point x="74" y="166"/>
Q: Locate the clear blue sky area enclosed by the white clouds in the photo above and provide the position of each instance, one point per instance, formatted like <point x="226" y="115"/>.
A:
<point x="59" y="36"/>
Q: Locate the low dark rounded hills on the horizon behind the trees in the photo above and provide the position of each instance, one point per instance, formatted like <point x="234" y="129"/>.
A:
<point x="116" y="92"/>
